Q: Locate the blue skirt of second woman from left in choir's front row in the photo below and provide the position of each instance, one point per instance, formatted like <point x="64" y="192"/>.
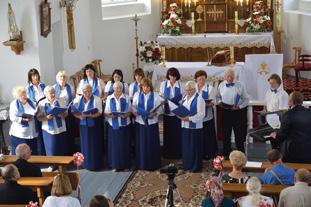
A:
<point x="55" y="144"/>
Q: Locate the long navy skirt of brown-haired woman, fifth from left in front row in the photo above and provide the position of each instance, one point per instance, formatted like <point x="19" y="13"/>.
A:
<point x="147" y="147"/>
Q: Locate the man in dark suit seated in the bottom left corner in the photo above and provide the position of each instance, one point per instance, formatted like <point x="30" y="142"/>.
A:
<point x="10" y="191"/>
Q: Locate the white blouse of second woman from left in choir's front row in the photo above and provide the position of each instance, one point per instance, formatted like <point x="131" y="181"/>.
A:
<point x="45" y="125"/>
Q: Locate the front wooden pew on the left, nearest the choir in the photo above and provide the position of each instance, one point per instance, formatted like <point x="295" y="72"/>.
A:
<point x="60" y="161"/>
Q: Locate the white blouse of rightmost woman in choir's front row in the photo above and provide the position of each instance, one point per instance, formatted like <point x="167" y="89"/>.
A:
<point x="198" y="117"/>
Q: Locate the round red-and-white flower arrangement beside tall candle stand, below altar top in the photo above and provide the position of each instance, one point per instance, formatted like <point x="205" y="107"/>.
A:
<point x="150" y="52"/>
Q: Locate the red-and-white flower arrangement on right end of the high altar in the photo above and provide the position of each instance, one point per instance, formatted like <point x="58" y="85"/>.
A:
<point x="259" y="21"/>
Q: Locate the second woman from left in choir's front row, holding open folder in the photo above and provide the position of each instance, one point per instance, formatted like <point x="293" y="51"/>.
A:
<point x="53" y="125"/>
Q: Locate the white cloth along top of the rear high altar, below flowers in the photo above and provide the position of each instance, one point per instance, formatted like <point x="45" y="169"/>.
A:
<point x="221" y="40"/>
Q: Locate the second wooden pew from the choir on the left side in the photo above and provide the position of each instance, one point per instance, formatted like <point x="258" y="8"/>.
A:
<point x="38" y="184"/>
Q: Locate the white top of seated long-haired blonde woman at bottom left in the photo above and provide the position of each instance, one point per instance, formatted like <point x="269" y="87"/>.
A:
<point x="61" y="201"/>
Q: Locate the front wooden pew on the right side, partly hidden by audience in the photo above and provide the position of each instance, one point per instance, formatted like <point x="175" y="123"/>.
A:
<point x="295" y="166"/>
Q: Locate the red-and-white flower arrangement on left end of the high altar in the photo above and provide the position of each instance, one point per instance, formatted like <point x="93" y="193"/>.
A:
<point x="172" y="21"/>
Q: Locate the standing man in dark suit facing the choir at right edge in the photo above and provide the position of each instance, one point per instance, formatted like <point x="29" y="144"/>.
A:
<point x="295" y="132"/>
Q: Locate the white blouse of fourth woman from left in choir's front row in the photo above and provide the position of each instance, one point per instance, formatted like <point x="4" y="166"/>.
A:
<point x="118" y="107"/>
